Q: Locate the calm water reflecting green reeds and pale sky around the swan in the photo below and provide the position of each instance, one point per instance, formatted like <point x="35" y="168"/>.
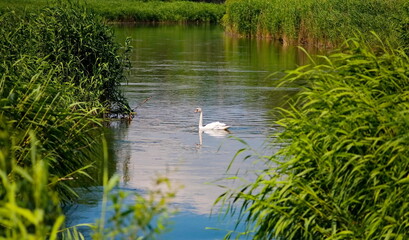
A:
<point x="181" y="67"/>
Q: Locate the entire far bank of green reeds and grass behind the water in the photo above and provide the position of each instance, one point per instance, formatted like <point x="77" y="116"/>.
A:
<point x="292" y="22"/>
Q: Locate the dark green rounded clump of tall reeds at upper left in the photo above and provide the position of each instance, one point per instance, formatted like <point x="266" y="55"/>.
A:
<point x="74" y="41"/>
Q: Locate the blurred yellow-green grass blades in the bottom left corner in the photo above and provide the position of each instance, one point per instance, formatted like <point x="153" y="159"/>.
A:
<point x="28" y="210"/>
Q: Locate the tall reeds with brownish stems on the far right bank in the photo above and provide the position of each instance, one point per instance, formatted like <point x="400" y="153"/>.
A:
<point x="317" y="22"/>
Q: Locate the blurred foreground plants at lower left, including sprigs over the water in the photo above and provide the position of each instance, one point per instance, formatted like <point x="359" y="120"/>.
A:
<point x="30" y="208"/>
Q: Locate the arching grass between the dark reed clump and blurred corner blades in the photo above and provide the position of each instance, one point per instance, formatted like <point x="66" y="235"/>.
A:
<point x="33" y="100"/>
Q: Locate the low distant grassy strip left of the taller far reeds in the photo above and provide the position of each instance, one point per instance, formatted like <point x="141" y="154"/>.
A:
<point x="140" y="10"/>
